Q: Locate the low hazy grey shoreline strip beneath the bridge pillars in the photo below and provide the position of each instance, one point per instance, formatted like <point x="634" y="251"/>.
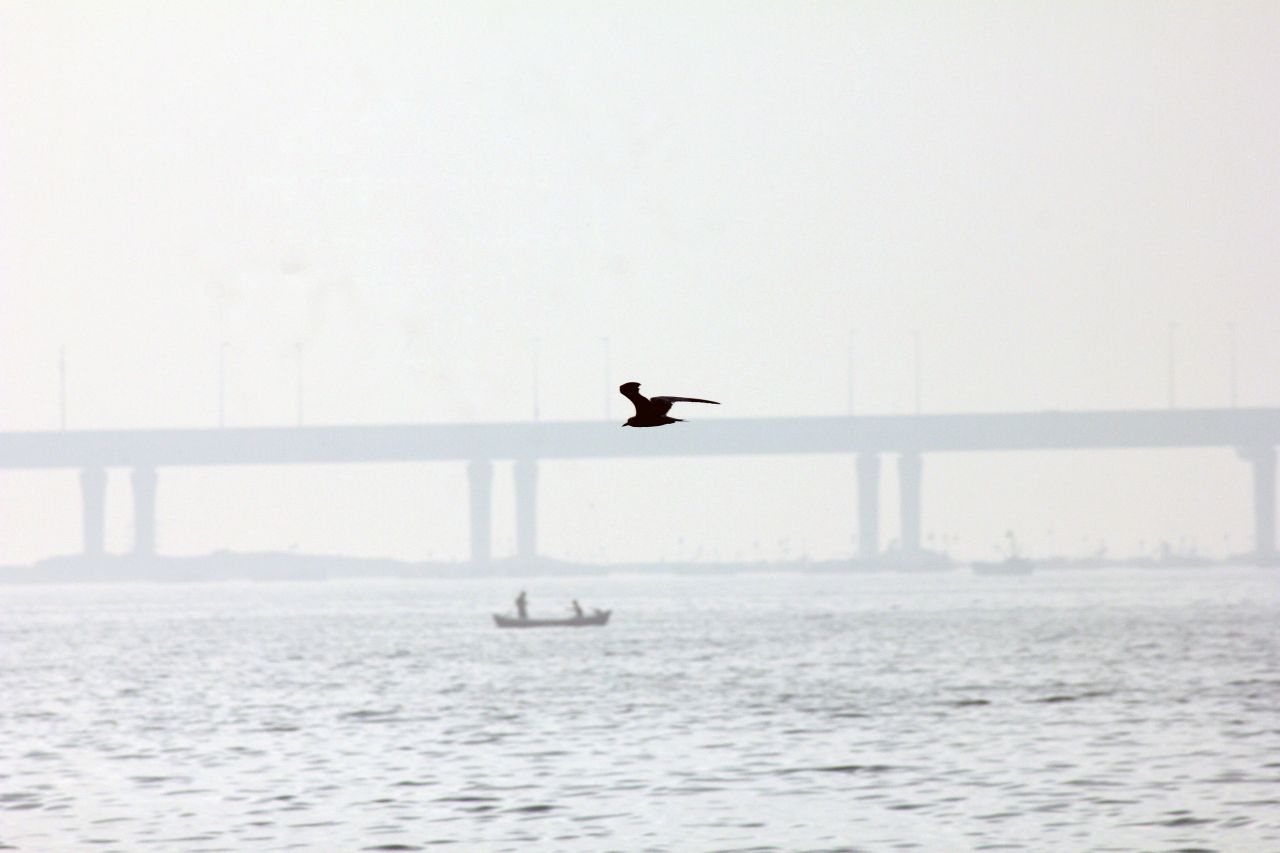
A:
<point x="276" y="567"/>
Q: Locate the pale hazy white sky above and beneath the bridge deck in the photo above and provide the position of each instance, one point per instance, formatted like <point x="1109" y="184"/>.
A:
<point x="414" y="197"/>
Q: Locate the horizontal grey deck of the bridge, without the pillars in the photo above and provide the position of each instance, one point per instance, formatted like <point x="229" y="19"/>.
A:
<point x="596" y="440"/>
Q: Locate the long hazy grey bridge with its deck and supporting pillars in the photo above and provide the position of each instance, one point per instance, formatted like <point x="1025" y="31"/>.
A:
<point x="1252" y="432"/>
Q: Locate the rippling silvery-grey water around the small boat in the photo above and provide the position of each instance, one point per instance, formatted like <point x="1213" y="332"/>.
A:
<point x="1112" y="710"/>
